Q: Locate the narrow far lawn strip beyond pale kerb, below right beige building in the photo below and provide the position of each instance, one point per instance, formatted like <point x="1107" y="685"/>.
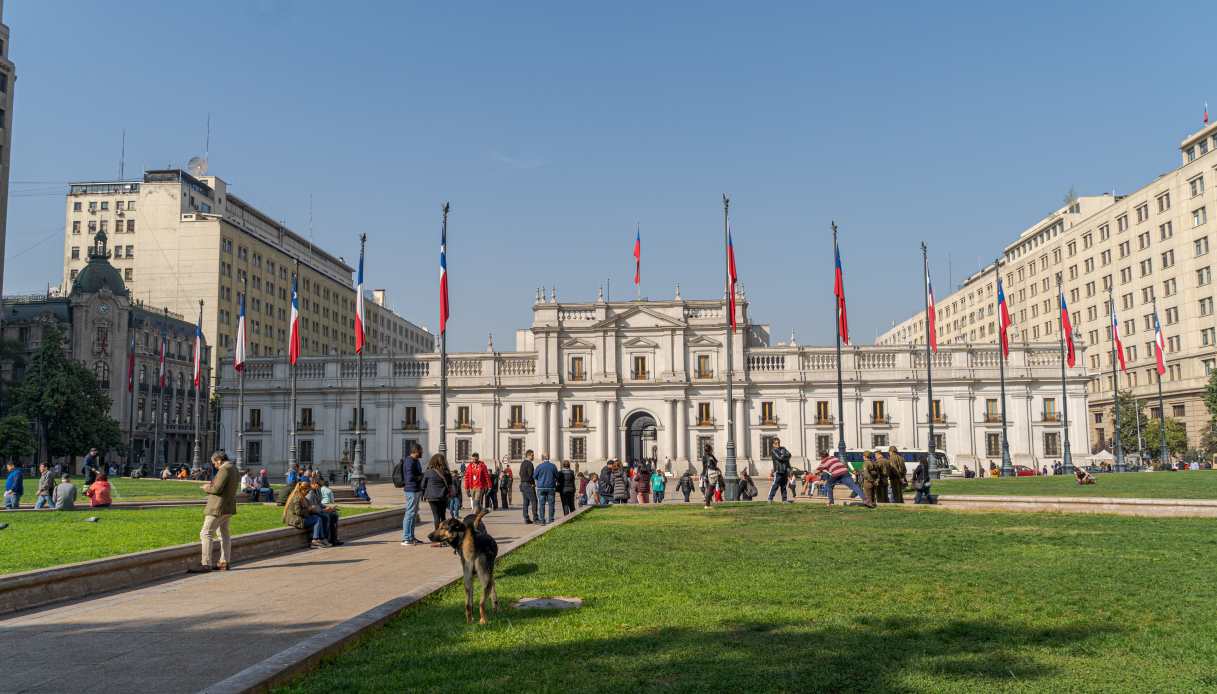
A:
<point x="1187" y="485"/>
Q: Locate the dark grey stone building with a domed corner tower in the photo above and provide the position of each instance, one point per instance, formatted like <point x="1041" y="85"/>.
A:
<point x="99" y="321"/>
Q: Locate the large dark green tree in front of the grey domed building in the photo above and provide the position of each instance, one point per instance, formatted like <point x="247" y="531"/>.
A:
<point x="63" y="399"/>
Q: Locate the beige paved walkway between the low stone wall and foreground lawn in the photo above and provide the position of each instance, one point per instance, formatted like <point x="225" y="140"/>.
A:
<point x="187" y="634"/>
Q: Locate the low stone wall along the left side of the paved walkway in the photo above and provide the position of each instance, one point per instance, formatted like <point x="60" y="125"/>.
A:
<point x="74" y="581"/>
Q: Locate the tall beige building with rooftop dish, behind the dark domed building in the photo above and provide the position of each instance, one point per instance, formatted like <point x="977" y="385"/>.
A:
<point x="178" y="239"/>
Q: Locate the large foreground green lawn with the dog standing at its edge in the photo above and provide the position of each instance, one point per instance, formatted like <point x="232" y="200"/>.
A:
<point x="779" y="598"/>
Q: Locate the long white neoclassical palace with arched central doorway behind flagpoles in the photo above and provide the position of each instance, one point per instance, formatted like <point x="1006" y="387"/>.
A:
<point x="633" y="379"/>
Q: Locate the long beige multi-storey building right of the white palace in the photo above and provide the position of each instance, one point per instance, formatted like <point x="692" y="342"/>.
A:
<point x="1153" y="244"/>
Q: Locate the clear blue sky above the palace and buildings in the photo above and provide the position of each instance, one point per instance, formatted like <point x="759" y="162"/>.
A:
<point x="556" y="127"/>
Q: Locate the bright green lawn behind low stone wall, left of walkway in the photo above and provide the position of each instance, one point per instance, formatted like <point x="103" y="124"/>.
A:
<point x="51" y="539"/>
